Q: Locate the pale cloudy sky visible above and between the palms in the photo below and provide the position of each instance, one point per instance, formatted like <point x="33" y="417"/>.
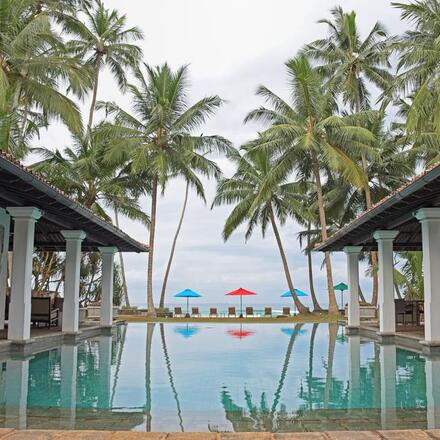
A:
<point x="231" y="47"/>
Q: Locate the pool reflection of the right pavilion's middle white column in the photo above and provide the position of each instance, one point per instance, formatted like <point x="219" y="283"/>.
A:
<point x="388" y="368"/>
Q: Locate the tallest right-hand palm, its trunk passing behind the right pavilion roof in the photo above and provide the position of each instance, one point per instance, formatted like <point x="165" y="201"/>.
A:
<point x="350" y="63"/>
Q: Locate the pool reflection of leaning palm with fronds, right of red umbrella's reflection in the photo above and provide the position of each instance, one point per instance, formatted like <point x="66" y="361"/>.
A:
<point x="259" y="418"/>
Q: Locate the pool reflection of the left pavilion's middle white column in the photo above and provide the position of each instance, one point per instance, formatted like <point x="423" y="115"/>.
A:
<point x="69" y="363"/>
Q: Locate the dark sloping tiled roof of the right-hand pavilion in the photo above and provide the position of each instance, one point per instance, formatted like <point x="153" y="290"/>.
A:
<point x="393" y="212"/>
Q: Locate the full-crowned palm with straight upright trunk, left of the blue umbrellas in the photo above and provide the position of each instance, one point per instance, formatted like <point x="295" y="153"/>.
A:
<point x="158" y="138"/>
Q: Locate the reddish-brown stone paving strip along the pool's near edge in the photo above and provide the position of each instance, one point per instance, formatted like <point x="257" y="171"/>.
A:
<point x="11" y="434"/>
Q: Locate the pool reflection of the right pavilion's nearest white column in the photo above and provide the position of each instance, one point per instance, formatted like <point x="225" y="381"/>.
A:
<point x="432" y="371"/>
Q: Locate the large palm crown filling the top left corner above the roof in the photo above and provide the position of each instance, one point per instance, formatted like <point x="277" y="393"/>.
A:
<point x="33" y="68"/>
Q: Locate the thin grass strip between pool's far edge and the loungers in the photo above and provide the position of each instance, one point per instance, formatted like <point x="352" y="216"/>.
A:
<point x="309" y="317"/>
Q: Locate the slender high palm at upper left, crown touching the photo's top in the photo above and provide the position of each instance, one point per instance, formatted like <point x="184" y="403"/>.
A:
<point x="104" y="40"/>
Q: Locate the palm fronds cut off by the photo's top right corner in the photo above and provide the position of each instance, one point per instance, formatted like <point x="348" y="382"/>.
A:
<point x="419" y="62"/>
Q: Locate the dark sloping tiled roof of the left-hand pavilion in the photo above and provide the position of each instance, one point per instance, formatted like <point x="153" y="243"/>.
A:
<point x="20" y="186"/>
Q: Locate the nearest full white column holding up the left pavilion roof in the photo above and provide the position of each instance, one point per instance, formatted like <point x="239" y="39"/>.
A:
<point x="19" y="323"/>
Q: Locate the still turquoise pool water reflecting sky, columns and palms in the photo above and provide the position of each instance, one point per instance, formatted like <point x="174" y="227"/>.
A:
<point x="222" y="377"/>
